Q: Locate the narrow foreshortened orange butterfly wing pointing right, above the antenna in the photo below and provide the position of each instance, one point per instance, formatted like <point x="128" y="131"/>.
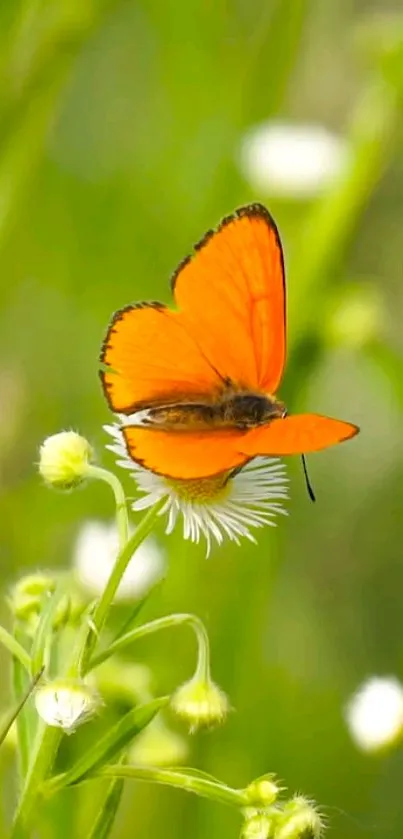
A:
<point x="299" y="434"/>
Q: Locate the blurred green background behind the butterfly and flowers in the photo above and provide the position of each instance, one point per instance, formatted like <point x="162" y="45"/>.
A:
<point x="121" y="129"/>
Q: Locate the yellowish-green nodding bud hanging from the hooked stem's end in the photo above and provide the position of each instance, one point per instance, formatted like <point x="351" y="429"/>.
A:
<point x="201" y="703"/>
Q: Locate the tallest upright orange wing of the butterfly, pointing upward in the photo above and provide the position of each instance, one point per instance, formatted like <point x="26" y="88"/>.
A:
<point x="232" y="295"/>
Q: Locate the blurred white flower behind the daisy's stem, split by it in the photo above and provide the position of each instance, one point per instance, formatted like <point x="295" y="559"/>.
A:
<point x="95" y="553"/>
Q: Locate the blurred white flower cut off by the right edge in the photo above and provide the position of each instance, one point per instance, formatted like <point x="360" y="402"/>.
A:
<point x="374" y="714"/>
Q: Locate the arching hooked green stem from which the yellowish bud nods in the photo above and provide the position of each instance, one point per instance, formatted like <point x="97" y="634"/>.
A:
<point x="203" y="661"/>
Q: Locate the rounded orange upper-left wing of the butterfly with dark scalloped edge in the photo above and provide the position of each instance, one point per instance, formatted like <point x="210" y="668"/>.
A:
<point x="150" y="358"/>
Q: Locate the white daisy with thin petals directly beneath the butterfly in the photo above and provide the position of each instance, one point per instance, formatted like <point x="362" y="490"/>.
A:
<point x="223" y="505"/>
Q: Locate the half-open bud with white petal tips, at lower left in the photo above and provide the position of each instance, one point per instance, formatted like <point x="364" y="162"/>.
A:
<point x="66" y="704"/>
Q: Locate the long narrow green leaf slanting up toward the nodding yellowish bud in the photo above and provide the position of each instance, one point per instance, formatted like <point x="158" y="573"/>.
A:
<point x="110" y="745"/>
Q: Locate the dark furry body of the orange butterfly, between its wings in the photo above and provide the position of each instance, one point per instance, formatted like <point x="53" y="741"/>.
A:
<point x="230" y="410"/>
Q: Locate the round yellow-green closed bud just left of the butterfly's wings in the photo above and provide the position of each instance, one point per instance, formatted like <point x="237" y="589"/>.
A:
<point x="64" y="459"/>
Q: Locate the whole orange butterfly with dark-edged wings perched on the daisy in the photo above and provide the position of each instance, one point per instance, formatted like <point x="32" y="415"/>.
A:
<point x="197" y="384"/>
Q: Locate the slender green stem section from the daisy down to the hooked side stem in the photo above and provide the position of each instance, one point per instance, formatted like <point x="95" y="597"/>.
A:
<point x="104" y="604"/>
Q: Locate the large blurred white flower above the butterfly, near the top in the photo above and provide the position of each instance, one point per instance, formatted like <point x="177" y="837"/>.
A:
<point x="291" y="159"/>
